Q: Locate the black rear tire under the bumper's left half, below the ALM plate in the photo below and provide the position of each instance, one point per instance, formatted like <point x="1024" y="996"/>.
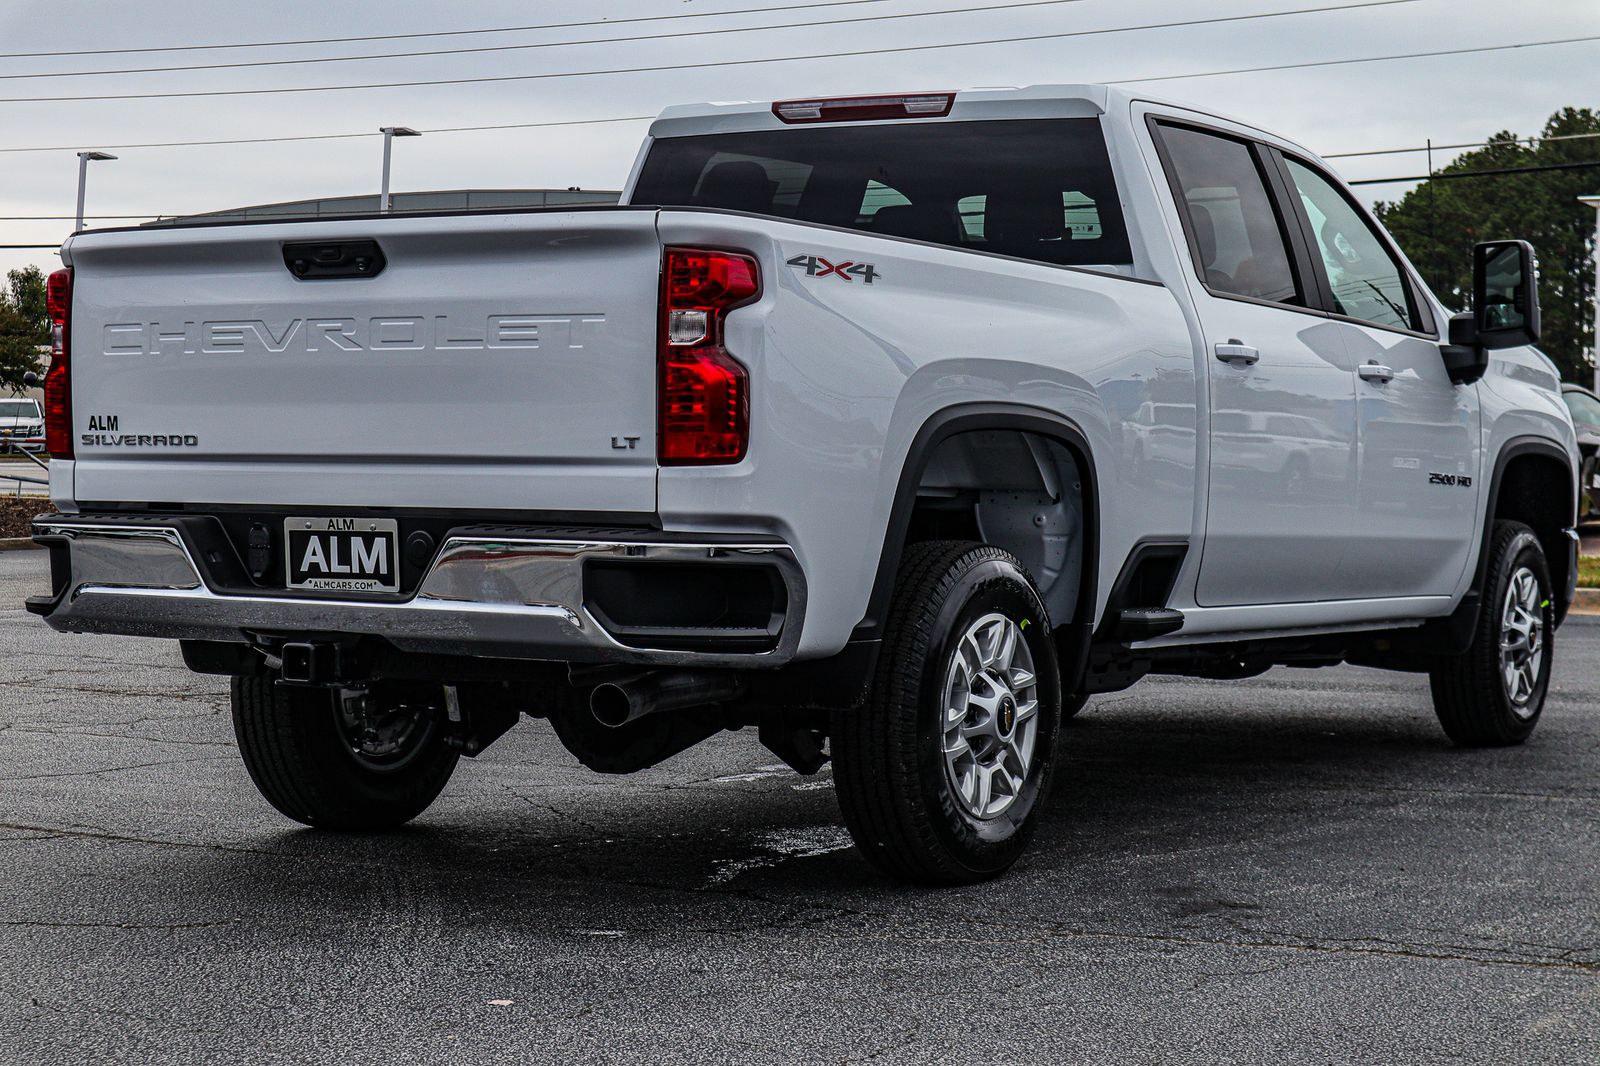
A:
<point x="300" y="751"/>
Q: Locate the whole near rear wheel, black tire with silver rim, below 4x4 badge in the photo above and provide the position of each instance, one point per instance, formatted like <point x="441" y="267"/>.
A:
<point x="911" y="808"/>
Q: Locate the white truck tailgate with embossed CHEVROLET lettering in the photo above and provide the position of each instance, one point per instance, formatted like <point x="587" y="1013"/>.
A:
<point x="494" y="363"/>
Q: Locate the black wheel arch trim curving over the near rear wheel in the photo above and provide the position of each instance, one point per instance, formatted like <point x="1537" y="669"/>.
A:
<point x="1010" y="419"/>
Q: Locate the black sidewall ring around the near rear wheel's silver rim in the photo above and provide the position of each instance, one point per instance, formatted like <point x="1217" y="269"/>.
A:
<point x="990" y="587"/>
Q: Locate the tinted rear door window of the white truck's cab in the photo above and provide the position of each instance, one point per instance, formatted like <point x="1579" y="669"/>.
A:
<point x="1238" y="234"/>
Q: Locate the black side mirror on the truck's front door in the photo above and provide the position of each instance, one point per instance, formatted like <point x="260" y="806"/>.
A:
<point x="1505" y="308"/>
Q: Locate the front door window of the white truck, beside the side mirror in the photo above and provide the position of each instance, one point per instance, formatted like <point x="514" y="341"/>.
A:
<point x="1367" y="281"/>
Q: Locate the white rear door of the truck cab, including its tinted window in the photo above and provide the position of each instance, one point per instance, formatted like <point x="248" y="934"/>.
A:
<point x="1282" y="393"/>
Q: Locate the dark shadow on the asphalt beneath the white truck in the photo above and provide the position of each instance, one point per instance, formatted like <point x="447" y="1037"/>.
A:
<point x="1156" y="809"/>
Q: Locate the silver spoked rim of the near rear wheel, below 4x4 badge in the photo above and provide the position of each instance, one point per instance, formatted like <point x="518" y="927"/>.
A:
<point x="990" y="718"/>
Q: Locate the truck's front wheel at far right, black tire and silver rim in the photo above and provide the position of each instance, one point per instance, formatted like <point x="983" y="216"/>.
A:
<point x="1474" y="692"/>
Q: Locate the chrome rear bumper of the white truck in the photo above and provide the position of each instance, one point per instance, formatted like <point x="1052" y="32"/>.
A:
<point x="490" y="593"/>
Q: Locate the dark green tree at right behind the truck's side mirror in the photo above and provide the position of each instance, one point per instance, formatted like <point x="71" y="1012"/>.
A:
<point x="1441" y="220"/>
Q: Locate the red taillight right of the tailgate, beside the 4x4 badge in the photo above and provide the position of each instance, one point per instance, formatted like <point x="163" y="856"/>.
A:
<point x="703" y="391"/>
